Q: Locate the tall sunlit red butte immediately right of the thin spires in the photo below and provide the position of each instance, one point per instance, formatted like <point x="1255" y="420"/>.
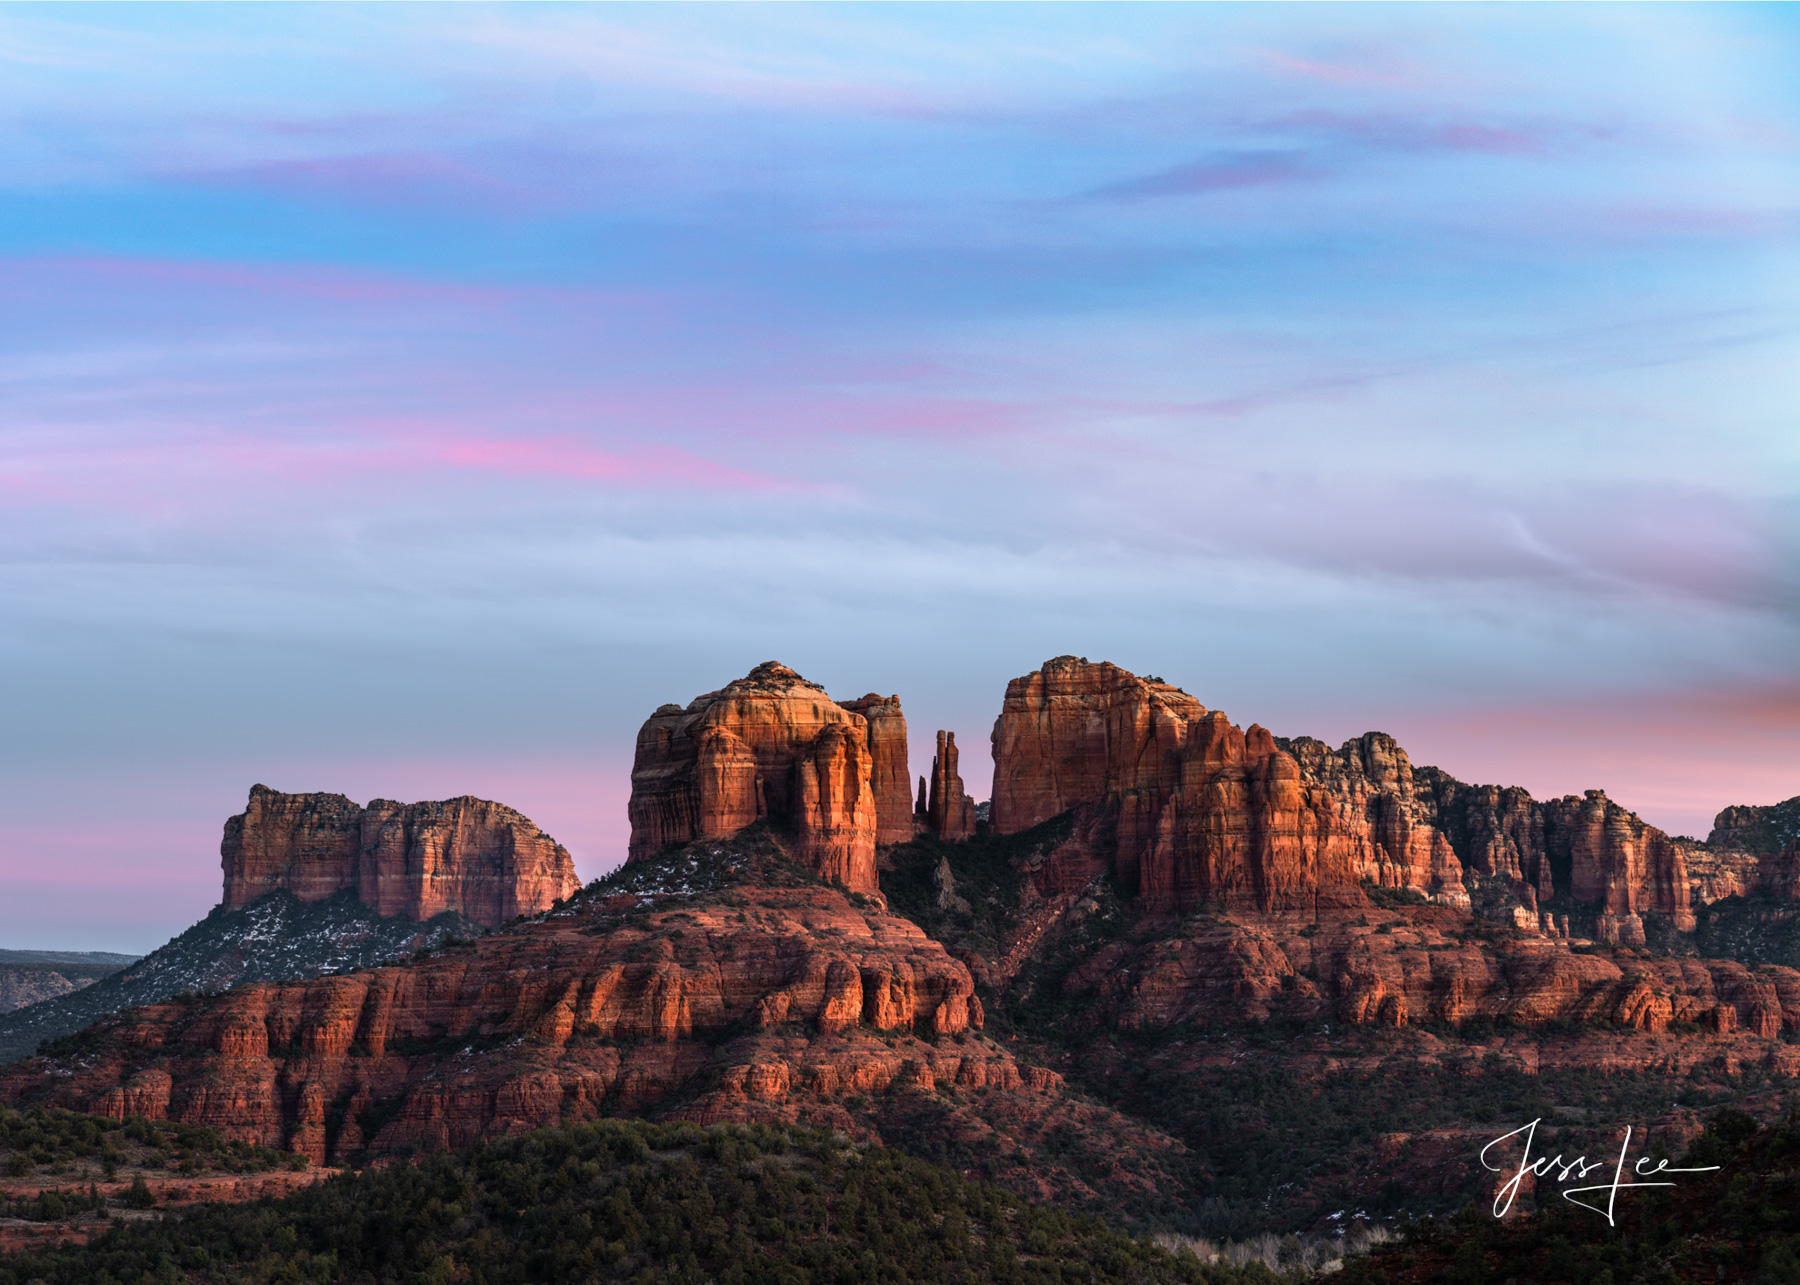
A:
<point x="1201" y="813"/>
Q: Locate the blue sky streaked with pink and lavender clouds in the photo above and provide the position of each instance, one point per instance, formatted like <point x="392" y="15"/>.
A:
<point x="404" y="402"/>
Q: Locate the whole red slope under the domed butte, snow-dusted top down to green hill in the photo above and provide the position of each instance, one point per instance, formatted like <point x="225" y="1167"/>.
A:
<point x="719" y="982"/>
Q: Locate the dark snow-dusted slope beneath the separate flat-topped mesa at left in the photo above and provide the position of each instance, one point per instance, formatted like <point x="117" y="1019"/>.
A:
<point x="276" y="939"/>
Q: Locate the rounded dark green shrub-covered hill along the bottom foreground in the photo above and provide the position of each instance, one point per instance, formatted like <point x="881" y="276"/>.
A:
<point x="627" y="1201"/>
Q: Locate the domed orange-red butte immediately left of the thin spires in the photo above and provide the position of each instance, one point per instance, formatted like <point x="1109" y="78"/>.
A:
<point x="771" y="746"/>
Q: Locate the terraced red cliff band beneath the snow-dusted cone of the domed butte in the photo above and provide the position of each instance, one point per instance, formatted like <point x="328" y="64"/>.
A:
<point x="771" y="998"/>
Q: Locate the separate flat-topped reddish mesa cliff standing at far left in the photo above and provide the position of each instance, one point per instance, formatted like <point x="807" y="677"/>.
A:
<point x="424" y="859"/>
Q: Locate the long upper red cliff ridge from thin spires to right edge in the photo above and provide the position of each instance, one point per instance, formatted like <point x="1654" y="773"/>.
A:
<point x="1191" y="811"/>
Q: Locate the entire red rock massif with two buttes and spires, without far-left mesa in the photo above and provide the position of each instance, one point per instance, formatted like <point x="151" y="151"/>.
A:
<point x="1156" y="894"/>
